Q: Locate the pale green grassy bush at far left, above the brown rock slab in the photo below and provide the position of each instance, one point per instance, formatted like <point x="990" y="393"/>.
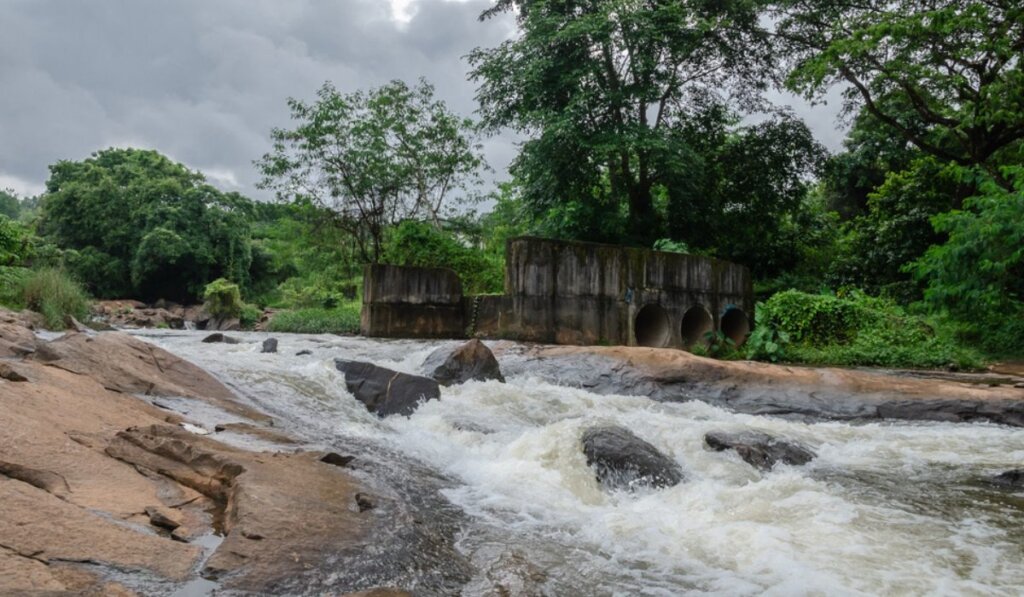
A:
<point x="53" y="293"/>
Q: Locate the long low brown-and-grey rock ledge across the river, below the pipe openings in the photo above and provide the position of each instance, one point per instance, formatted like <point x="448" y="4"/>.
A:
<point x="765" y="390"/>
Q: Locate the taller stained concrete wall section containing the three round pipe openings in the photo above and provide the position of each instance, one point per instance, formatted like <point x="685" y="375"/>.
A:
<point x="585" y="293"/>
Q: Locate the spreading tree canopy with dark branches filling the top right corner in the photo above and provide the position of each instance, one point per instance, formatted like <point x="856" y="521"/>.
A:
<point x="946" y="75"/>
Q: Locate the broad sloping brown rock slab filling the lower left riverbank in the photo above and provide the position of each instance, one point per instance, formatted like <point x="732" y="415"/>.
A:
<point x="105" y="492"/>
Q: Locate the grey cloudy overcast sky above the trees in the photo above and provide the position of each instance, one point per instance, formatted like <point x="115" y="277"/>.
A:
<point x="204" y="81"/>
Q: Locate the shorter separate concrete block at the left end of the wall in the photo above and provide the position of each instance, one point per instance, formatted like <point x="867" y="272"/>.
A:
<point x="412" y="303"/>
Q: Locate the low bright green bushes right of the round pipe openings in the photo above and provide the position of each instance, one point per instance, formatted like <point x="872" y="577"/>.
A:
<point x="854" y="329"/>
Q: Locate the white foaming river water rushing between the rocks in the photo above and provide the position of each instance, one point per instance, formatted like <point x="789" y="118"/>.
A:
<point x="886" y="508"/>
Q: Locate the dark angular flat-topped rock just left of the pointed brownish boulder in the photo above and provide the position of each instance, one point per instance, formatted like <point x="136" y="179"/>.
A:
<point x="385" y="392"/>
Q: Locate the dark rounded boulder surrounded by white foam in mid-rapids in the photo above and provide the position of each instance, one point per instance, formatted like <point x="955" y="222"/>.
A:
<point x="621" y="460"/>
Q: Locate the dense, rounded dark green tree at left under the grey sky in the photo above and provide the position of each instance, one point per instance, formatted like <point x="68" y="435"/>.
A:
<point x="143" y="226"/>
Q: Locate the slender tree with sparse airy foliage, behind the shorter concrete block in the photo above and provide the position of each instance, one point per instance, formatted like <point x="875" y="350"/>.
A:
<point x="375" y="158"/>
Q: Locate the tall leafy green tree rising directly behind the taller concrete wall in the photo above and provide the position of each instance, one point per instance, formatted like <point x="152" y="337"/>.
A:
<point x="602" y="88"/>
